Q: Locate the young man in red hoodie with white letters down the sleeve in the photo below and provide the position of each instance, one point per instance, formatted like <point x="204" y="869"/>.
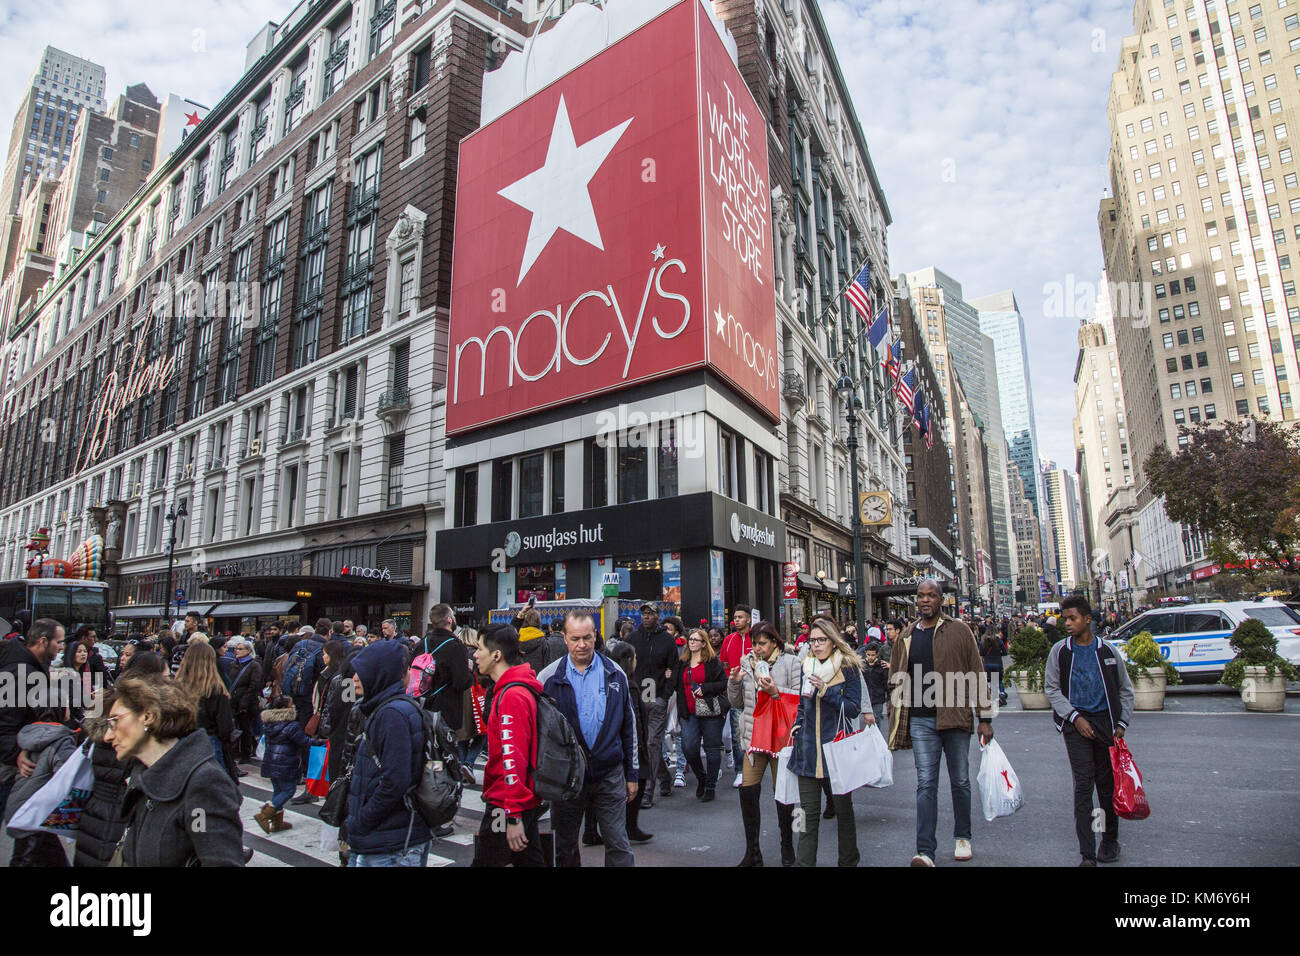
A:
<point x="512" y="810"/>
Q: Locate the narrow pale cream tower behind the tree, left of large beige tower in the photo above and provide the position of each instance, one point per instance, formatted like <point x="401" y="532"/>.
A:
<point x="1103" y="460"/>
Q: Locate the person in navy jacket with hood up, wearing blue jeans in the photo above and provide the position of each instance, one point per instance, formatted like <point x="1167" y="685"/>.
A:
<point x="383" y="828"/>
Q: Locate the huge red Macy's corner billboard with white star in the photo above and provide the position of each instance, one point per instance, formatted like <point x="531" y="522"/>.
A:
<point x="613" y="230"/>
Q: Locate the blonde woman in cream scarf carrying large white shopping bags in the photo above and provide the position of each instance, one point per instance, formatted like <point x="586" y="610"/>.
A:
<point x="830" y="699"/>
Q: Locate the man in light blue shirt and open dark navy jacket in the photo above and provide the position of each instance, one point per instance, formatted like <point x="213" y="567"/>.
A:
<point x="593" y="695"/>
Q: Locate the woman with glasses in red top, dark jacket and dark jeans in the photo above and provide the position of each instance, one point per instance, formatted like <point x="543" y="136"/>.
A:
<point x="700" y="682"/>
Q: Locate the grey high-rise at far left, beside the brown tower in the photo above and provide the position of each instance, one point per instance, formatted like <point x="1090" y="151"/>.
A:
<point x="47" y="119"/>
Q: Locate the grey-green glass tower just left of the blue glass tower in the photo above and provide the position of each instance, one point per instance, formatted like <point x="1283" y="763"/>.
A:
<point x="973" y="356"/>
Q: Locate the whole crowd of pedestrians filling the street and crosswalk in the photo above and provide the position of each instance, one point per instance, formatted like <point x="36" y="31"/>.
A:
<point x="631" y="716"/>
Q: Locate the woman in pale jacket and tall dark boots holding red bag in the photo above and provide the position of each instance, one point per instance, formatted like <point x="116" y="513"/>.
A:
<point x="764" y="687"/>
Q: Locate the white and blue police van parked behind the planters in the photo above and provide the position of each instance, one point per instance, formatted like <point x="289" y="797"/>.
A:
<point x="1195" y="637"/>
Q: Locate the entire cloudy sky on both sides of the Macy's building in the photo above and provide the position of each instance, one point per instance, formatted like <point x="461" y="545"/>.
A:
<point x="986" y="119"/>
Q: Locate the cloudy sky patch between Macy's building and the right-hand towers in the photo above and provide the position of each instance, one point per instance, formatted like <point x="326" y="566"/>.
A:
<point x="1013" y="96"/>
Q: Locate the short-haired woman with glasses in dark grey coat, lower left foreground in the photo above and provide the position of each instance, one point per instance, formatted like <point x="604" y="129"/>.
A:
<point x="154" y="721"/>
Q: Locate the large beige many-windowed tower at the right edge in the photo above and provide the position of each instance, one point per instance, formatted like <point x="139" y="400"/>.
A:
<point x="1201" y="231"/>
